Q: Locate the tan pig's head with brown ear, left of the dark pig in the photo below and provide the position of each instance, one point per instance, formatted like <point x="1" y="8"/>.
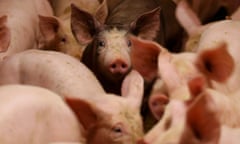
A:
<point x="57" y="36"/>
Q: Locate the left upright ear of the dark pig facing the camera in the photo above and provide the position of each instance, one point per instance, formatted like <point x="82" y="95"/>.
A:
<point x="84" y="25"/>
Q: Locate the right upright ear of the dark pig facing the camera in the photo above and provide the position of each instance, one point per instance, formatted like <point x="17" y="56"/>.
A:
<point x="147" y="25"/>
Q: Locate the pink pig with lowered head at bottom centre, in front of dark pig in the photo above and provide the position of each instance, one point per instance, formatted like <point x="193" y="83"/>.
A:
<point x="109" y="118"/>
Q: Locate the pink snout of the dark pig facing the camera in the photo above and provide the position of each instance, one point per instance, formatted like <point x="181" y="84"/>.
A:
<point x="119" y="67"/>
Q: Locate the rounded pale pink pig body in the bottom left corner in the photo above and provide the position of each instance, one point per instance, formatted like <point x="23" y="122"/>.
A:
<point x="35" y="115"/>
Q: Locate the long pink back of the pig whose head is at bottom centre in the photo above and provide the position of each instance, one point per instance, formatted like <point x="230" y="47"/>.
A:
<point x="53" y="70"/>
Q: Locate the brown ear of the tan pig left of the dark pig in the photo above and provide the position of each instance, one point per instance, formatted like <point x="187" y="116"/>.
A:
<point x="48" y="27"/>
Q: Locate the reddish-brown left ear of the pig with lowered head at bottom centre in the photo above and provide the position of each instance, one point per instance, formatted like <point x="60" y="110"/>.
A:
<point x="84" y="112"/>
